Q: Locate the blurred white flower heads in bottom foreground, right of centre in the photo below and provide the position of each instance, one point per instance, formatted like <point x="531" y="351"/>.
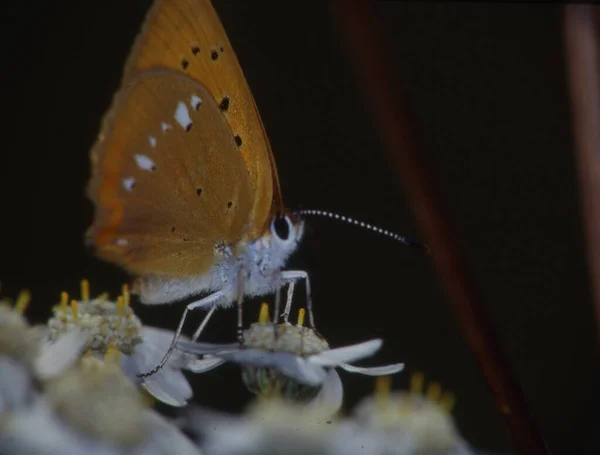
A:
<point x="398" y="423"/>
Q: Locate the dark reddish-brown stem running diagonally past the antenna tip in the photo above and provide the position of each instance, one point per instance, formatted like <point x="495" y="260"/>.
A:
<point x="367" y="46"/>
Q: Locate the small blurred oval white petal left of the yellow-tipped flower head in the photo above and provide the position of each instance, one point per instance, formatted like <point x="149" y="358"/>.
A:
<point x="56" y="357"/>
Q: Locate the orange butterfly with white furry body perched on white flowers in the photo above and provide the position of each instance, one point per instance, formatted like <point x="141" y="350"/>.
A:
<point x="184" y="183"/>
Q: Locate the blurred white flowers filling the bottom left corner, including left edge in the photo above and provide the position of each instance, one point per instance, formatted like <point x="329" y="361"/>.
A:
<point x="58" y="398"/>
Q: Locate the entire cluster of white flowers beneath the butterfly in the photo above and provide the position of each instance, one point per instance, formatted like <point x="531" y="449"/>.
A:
<point x="71" y="387"/>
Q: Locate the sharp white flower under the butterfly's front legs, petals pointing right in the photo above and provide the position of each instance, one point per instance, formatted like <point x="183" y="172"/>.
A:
<point x="290" y="360"/>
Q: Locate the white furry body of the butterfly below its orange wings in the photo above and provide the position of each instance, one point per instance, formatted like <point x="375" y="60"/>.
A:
<point x="259" y="263"/>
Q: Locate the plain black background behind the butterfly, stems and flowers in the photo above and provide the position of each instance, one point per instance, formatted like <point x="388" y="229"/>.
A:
<point x="488" y="88"/>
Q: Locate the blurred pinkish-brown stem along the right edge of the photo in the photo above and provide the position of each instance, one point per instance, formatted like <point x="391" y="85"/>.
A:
<point x="581" y="45"/>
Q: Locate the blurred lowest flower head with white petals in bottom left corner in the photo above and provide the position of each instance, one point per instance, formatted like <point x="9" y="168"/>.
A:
<point x="92" y="409"/>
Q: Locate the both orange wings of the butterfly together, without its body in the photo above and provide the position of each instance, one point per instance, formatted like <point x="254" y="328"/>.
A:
<point x="161" y="226"/>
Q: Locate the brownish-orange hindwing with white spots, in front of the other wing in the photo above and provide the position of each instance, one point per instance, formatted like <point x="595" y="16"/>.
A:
<point x="169" y="183"/>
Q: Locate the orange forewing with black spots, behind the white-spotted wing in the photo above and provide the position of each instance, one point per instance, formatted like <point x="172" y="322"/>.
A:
<point x="188" y="36"/>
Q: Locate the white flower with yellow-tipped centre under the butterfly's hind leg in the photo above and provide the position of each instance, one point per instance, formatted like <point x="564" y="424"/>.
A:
<point x="114" y="326"/>
